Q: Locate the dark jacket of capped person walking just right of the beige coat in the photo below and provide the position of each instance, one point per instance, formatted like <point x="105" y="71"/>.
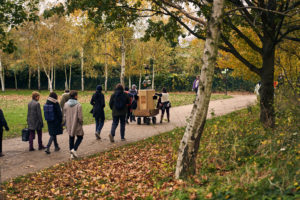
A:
<point x="98" y="103"/>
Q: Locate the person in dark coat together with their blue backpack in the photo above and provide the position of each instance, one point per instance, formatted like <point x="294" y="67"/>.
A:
<point x="53" y="116"/>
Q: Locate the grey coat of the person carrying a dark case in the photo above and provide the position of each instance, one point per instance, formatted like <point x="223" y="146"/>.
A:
<point x="34" y="116"/>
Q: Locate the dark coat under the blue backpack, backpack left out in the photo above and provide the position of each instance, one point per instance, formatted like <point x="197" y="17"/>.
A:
<point x="55" y="126"/>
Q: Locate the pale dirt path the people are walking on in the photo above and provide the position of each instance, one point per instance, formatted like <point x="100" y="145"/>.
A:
<point x="19" y="161"/>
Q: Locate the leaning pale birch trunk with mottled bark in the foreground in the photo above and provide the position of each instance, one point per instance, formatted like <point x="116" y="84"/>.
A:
<point x="190" y="142"/>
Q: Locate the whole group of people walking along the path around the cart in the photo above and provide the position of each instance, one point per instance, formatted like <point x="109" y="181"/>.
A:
<point x="68" y="113"/>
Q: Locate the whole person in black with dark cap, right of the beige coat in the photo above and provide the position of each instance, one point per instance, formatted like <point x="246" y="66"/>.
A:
<point x="98" y="103"/>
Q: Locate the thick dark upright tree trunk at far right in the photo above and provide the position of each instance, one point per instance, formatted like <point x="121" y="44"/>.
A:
<point x="267" y="113"/>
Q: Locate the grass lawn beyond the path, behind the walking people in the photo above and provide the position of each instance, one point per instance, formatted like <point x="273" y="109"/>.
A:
<point x="14" y="105"/>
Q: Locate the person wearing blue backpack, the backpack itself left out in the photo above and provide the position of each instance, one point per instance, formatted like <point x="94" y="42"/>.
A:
<point x="54" y="126"/>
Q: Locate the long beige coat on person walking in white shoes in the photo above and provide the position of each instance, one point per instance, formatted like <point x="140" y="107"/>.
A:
<point x="73" y="118"/>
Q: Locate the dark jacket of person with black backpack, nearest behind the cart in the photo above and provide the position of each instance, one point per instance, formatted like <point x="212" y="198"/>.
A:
<point x="126" y="99"/>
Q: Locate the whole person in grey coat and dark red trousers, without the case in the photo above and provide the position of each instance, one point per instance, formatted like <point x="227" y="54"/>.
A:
<point x="35" y="121"/>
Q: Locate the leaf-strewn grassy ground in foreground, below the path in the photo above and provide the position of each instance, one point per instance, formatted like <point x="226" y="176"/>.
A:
<point x="238" y="159"/>
